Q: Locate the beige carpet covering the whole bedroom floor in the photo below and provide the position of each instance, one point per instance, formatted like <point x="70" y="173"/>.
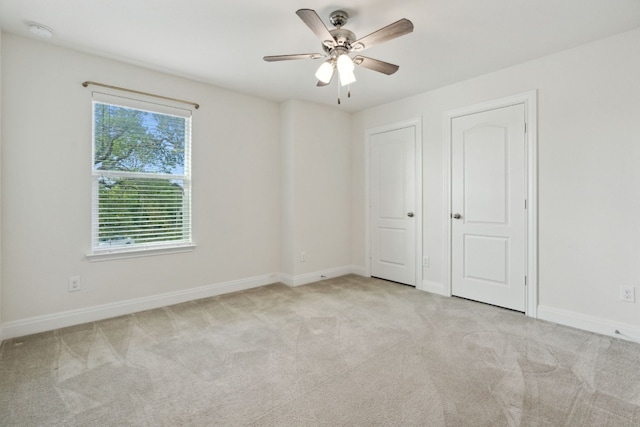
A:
<point x="350" y="351"/>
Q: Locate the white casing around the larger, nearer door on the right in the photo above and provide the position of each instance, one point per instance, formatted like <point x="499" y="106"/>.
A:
<point x="529" y="99"/>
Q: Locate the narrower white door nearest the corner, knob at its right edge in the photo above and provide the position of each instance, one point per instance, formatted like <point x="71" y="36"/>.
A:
<point x="393" y="205"/>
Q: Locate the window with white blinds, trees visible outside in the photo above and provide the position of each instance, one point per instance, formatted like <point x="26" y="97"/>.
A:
<point x="141" y="175"/>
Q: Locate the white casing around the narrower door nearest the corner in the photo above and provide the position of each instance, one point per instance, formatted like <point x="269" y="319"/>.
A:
<point x="416" y="123"/>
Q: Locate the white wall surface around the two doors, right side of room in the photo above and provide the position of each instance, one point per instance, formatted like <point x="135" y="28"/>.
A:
<point x="588" y="168"/>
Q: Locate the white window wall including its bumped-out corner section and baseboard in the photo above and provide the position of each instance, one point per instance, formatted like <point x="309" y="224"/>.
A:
<point x="269" y="181"/>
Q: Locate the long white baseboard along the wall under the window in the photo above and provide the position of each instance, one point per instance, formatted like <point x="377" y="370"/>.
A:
<point x="64" y="319"/>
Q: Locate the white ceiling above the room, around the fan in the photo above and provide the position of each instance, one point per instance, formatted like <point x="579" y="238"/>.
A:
<point x="222" y="42"/>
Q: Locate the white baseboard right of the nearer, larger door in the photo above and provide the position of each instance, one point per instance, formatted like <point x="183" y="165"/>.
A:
<point x="585" y="322"/>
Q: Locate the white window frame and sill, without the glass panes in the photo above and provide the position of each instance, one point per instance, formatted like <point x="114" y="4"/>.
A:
<point x="125" y="251"/>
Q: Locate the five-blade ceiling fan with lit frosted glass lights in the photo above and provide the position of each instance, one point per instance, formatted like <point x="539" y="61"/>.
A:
<point x="339" y="43"/>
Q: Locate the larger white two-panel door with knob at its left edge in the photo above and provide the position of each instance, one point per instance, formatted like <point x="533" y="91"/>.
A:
<point x="488" y="241"/>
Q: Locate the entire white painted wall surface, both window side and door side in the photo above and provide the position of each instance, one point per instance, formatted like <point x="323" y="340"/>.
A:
<point x="269" y="183"/>
